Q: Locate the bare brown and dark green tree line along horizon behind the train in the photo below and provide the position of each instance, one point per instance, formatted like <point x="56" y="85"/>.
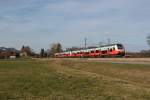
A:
<point x="27" y="51"/>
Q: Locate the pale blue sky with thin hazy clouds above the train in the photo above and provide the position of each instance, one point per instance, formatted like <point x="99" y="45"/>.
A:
<point x="38" y="23"/>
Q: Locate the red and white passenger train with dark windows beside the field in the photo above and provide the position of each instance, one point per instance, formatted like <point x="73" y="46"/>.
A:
<point x="113" y="50"/>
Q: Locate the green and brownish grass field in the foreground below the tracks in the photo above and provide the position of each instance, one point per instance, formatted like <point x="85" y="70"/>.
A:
<point x="73" y="80"/>
